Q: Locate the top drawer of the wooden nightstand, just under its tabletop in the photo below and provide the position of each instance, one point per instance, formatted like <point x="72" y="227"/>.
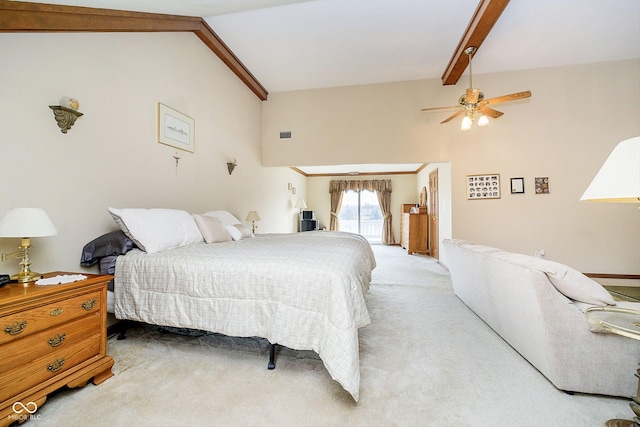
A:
<point x="18" y="325"/>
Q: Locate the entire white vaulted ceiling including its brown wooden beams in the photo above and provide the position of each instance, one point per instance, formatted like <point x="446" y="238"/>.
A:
<point x="285" y="45"/>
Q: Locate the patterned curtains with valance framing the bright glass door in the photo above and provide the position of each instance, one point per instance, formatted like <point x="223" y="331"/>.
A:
<point x="382" y="187"/>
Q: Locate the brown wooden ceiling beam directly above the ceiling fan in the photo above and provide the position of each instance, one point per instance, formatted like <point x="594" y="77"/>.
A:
<point x="483" y="20"/>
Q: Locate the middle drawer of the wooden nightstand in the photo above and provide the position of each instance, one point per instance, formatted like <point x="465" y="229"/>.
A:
<point x="49" y="341"/>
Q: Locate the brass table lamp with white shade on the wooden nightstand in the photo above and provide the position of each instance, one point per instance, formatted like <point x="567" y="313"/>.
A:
<point x="25" y="223"/>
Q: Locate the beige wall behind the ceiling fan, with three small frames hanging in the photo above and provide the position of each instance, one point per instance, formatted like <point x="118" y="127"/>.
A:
<point x="577" y="114"/>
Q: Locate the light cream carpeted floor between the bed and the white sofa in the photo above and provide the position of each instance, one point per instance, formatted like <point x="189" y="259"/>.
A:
<point x="426" y="360"/>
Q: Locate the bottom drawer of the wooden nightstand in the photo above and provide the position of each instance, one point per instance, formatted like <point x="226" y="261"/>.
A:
<point x="38" y="371"/>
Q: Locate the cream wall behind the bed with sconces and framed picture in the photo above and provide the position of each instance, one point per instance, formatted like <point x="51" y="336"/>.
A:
<point x="111" y="156"/>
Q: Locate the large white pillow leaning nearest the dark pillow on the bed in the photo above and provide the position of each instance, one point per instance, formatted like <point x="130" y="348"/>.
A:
<point x="154" y="230"/>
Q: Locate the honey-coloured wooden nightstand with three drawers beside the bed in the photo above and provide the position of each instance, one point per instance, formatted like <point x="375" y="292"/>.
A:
<point x="50" y="337"/>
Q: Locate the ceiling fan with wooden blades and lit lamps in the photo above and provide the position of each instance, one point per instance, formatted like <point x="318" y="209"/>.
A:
<point x="473" y="105"/>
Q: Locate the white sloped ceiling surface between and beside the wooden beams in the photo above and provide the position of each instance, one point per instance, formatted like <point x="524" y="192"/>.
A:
<point x="293" y="45"/>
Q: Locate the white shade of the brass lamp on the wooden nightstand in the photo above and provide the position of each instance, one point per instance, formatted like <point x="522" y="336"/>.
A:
<point x="26" y="222"/>
